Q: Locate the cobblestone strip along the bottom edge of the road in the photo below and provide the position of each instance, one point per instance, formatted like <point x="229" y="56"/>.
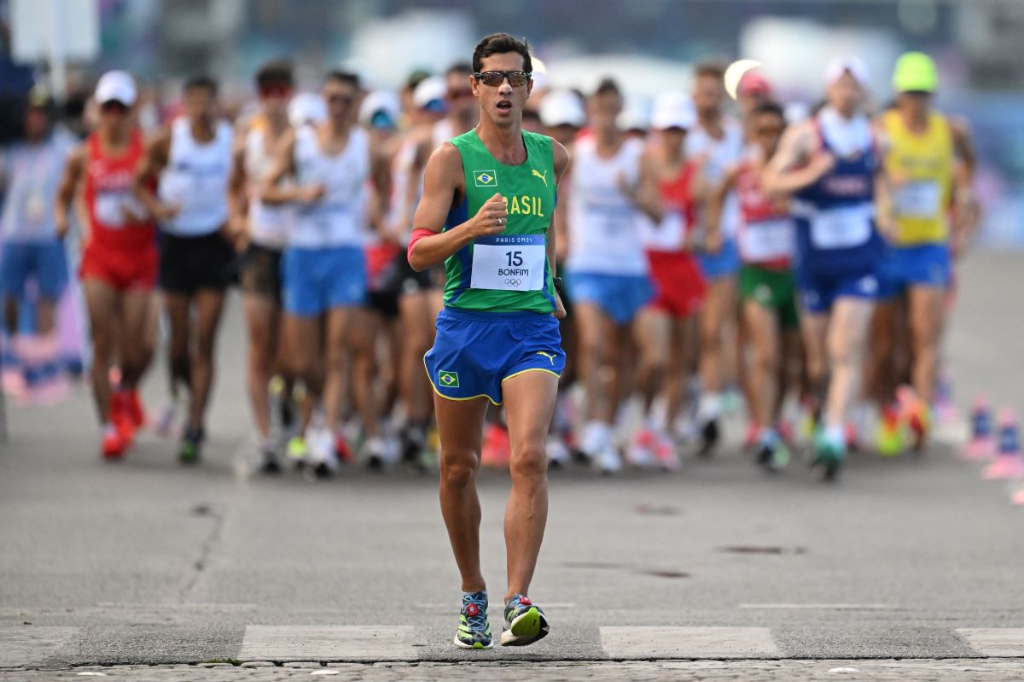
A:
<point x="749" y="671"/>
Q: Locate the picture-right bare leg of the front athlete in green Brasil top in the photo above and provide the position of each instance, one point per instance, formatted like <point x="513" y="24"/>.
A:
<point x="530" y="405"/>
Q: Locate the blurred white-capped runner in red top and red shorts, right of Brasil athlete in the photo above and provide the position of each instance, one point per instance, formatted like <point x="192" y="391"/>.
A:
<point x="677" y="278"/>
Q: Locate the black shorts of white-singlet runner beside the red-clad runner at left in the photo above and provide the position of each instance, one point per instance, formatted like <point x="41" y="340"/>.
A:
<point x="191" y="264"/>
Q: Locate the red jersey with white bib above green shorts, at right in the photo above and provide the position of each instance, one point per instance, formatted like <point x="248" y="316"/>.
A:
<point x="767" y="231"/>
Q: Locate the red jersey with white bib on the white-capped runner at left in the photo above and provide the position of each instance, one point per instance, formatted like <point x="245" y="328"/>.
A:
<point x="108" y="194"/>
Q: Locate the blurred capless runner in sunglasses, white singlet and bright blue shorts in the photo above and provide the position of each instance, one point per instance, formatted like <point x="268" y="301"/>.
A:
<point x="324" y="268"/>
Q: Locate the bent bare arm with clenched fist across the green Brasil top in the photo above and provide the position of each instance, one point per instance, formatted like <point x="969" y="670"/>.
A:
<point x="443" y="181"/>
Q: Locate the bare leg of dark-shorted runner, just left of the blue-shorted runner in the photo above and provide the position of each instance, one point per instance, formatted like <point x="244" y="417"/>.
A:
<point x="263" y="320"/>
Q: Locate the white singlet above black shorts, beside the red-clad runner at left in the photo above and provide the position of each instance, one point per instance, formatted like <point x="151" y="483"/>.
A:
<point x="196" y="181"/>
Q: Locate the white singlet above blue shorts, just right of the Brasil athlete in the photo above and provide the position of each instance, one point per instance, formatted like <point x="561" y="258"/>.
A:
<point x="605" y="236"/>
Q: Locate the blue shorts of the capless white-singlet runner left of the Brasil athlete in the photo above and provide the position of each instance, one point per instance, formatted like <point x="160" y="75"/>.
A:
<point x="315" y="281"/>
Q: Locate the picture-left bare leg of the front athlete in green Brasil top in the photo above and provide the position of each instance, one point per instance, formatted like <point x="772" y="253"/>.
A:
<point x="460" y="424"/>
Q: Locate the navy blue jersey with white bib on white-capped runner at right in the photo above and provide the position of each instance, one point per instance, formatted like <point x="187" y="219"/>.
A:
<point x="836" y="231"/>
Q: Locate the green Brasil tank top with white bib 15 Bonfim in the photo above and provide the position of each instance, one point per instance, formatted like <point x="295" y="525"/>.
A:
<point x="510" y="272"/>
